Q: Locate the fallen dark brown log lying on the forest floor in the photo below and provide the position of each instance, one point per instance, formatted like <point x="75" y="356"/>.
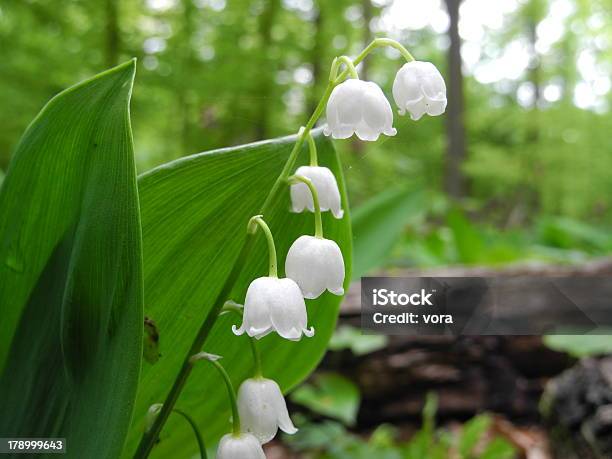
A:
<point x="502" y="374"/>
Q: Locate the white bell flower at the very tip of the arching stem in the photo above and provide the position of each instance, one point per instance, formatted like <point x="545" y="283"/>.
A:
<point x="419" y="88"/>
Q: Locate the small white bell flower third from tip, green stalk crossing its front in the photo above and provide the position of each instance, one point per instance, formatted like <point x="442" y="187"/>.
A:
<point x="327" y="187"/>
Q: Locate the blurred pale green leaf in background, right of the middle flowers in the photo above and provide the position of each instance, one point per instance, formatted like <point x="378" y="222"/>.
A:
<point x="378" y="225"/>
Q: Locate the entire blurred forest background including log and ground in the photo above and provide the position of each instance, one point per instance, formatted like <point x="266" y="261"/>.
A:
<point x="519" y="170"/>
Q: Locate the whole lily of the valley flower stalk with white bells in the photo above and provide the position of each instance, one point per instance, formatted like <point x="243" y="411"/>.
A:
<point x="314" y="264"/>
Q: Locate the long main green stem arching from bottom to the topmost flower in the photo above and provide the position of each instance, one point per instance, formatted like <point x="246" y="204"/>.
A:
<point x="149" y="439"/>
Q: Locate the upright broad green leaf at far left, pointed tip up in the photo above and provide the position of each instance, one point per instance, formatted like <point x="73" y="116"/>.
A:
<point x="70" y="272"/>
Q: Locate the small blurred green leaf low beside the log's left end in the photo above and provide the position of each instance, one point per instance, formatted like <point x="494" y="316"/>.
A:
<point x="331" y="395"/>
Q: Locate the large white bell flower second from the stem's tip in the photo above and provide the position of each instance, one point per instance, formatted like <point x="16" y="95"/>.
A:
<point x="358" y="107"/>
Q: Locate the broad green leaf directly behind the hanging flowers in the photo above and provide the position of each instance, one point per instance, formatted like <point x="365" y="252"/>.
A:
<point x="194" y="213"/>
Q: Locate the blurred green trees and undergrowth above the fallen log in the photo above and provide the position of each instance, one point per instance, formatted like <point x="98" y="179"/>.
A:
<point x="525" y="143"/>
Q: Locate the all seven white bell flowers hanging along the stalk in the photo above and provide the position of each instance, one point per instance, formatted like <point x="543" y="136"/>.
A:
<point x="315" y="264"/>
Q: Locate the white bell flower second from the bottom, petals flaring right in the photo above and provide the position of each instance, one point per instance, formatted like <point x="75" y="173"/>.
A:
<point x="263" y="409"/>
